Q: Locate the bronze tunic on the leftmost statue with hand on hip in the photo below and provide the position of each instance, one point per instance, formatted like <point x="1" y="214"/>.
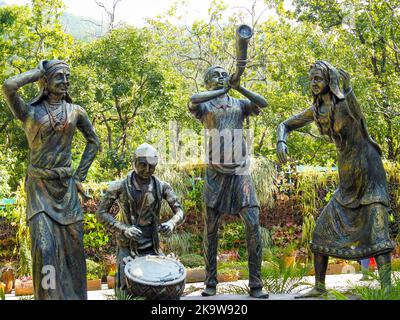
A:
<point x="50" y="183"/>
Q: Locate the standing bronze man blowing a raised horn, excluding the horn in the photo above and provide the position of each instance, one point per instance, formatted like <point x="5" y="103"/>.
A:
<point x="227" y="190"/>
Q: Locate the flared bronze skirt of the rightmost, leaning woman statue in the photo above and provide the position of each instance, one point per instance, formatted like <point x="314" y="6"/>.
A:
<point x="352" y="233"/>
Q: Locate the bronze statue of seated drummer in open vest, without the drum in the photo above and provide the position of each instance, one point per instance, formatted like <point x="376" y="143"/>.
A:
<point x="139" y="197"/>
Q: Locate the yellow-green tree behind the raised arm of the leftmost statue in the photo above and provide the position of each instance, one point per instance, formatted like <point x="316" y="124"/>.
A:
<point x="28" y="34"/>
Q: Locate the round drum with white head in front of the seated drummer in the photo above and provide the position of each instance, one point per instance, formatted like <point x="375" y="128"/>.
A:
<point x="155" y="277"/>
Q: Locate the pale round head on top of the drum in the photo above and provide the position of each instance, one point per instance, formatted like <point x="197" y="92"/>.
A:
<point x="155" y="270"/>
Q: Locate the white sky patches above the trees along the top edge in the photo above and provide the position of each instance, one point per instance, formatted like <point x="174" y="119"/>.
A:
<point x="135" y="12"/>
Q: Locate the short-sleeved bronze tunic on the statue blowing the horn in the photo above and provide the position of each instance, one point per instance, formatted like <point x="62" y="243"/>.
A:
<point x="228" y="188"/>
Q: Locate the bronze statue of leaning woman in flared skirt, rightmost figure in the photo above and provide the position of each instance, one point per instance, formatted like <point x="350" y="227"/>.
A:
<point x="354" y="224"/>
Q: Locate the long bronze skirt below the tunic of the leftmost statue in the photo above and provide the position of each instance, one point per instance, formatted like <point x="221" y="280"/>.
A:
<point x="58" y="259"/>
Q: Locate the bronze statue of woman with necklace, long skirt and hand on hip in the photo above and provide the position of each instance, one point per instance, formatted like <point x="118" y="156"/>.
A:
<point x="53" y="209"/>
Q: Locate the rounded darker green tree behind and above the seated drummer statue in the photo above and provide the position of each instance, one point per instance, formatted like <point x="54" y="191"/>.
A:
<point x="130" y="91"/>
